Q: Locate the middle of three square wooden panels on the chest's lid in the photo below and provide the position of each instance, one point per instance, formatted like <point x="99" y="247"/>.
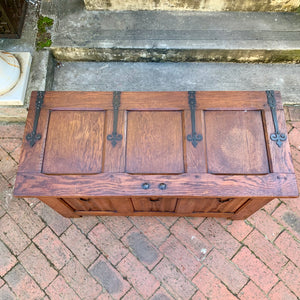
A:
<point x="154" y="142"/>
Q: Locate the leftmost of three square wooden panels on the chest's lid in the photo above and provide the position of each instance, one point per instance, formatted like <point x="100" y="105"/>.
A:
<point x="74" y="142"/>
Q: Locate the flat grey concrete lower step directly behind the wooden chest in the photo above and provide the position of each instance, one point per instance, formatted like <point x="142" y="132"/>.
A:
<point x="95" y="76"/>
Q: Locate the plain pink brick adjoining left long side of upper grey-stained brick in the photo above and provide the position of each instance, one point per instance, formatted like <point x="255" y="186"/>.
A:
<point x="106" y="242"/>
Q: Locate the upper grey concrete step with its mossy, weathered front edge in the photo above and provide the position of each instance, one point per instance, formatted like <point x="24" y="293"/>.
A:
<point x="148" y="36"/>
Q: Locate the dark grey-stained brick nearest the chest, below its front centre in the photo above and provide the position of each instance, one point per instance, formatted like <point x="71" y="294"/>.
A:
<point x="142" y="248"/>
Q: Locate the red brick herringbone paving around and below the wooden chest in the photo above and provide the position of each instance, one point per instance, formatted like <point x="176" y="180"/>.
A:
<point x="45" y="256"/>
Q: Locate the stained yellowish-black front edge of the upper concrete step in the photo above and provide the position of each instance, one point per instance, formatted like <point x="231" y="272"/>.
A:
<point x="175" y="55"/>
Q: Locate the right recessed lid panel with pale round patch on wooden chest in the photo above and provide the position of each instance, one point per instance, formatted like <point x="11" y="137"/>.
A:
<point x="236" y="142"/>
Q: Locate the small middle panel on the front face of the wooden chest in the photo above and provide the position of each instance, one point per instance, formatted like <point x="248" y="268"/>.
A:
<point x="158" y="204"/>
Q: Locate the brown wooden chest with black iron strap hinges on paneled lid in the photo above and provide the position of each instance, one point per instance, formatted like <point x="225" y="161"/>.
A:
<point x="218" y="154"/>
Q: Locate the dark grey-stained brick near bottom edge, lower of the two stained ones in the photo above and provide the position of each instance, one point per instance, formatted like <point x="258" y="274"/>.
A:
<point x="109" y="278"/>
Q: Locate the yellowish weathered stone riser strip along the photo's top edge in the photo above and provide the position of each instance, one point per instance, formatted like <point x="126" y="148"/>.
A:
<point x="200" y="5"/>
